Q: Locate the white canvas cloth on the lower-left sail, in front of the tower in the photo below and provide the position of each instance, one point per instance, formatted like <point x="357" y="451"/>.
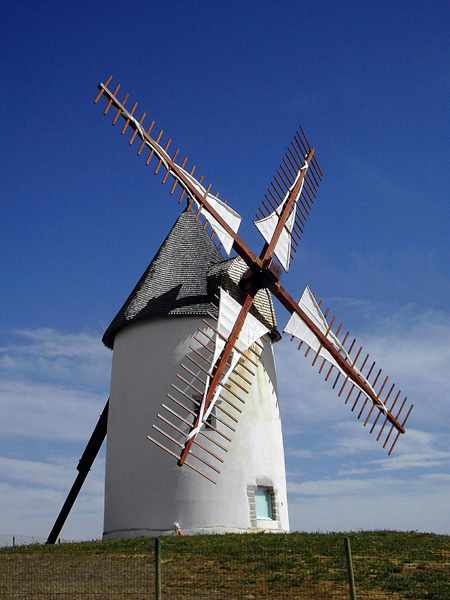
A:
<point x="252" y="330"/>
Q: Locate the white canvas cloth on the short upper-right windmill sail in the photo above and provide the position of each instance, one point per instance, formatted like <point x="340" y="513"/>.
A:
<point x="267" y="225"/>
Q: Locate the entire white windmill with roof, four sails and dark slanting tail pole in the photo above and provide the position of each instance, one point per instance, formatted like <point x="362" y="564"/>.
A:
<point x="197" y="330"/>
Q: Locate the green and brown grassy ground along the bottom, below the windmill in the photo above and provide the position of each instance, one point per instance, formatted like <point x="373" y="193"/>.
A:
<point x="304" y="566"/>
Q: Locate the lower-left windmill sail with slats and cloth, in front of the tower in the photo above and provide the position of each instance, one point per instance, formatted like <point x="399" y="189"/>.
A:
<point x="209" y="426"/>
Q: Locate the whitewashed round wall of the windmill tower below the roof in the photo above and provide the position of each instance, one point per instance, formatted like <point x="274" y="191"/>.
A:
<point x="145" y="492"/>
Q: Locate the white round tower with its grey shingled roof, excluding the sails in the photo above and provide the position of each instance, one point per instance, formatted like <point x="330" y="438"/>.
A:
<point x="146" y="493"/>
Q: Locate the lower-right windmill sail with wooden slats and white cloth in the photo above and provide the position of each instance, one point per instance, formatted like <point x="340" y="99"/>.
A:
<point x="297" y="328"/>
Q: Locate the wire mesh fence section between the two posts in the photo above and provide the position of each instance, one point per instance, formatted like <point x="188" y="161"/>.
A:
<point x="255" y="567"/>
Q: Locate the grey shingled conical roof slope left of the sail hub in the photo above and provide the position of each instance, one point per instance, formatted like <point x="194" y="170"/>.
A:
<point x="175" y="282"/>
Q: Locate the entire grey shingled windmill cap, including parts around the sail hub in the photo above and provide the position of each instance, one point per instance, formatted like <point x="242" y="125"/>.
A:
<point x="182" y="280"/>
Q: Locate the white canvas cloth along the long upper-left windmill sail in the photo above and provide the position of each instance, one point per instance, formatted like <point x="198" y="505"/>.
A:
<point x="230" y="216"/>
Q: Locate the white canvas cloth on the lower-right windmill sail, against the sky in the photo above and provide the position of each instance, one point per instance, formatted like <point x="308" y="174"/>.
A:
<point x="296" y="327"/>
